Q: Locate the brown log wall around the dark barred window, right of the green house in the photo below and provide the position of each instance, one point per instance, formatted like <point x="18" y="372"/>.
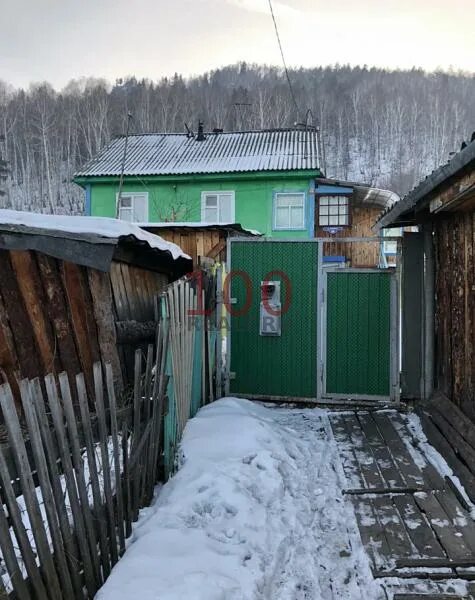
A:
<point x="358" y="254"/>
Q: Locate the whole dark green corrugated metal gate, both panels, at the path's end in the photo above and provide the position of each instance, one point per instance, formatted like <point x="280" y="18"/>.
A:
<point x="338" y="338"/>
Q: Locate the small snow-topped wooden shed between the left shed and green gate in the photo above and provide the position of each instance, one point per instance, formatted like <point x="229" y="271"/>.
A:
<point x="207" y="240"/>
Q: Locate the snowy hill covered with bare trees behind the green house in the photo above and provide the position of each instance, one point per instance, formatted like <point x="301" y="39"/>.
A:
<point x="380" y="127"/>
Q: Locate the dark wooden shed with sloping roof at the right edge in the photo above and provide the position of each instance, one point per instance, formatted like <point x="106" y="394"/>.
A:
<point x="439" y="282"/>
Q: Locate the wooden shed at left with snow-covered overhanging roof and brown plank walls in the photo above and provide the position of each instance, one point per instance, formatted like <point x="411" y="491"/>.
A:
<point x="74" y="290"/>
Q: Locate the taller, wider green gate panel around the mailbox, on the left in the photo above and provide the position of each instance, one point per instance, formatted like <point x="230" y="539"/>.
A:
<point x="277" y="366"/>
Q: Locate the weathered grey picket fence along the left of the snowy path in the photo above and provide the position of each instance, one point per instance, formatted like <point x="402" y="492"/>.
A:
<point x="77" y="468"/>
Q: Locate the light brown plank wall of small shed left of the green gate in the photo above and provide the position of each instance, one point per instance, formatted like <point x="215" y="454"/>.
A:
<point x="205" y="242"/>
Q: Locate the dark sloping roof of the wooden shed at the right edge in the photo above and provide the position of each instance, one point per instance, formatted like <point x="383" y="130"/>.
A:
<point x="398" y="213"/>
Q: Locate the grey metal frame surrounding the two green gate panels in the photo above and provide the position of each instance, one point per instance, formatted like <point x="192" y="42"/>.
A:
<point x="343" y="399"/>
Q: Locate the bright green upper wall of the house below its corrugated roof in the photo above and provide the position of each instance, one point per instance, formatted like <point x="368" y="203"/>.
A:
<point x="180" y="199"/>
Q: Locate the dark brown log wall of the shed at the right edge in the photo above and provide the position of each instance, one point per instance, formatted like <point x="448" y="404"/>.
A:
<point x="455" y="308"/>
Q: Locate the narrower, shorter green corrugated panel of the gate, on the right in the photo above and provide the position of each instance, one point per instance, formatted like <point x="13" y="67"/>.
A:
<point x="358" y="333"/>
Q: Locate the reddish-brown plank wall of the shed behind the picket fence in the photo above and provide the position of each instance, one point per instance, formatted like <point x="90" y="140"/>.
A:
<point x="57" y="316"/>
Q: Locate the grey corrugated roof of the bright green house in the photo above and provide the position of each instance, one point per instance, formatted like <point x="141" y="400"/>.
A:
<point x="181" y="154"/>
